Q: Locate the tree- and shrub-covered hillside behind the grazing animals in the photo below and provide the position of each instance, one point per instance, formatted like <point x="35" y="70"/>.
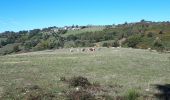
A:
<point x="143" y="35"/>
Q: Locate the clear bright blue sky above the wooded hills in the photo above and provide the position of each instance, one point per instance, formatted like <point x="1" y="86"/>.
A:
<point x="18" y="15"/>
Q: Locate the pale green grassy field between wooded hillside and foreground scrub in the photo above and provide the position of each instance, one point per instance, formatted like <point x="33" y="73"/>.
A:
<point x="130" y="68"/>
